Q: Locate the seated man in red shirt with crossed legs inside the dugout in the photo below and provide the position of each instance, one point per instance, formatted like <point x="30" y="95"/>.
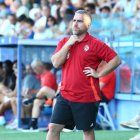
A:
<point x="48" y="90"/>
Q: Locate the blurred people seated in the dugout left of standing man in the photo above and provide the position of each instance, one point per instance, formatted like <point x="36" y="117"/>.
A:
<point x="39" y="85"/>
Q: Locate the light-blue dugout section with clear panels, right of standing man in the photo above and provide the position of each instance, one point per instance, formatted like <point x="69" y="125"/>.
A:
<point x="127" y="96"/>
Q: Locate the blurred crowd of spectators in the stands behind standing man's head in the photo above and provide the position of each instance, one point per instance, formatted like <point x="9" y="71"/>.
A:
<point x="48" y="19"/>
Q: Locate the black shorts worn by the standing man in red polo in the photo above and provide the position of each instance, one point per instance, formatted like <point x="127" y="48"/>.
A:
<point x="71" y="114"/>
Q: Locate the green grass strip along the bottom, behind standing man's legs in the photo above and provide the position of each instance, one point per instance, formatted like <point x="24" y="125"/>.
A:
<point x="6" y="134"/>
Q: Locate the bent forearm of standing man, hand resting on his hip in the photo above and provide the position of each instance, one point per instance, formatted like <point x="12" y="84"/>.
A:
<point x="110" y="66"/>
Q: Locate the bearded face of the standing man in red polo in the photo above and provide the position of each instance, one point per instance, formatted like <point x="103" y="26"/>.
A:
<point x="79" y="25"/>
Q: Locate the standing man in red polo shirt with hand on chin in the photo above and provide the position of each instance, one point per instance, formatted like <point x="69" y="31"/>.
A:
<point x="79" y="56"/>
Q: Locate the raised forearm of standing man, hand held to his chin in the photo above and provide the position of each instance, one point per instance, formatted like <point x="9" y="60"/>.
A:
<point x="59" y="58"/>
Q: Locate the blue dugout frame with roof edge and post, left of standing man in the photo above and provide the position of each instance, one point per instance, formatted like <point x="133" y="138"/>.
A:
<point x="25" y="51"/>
